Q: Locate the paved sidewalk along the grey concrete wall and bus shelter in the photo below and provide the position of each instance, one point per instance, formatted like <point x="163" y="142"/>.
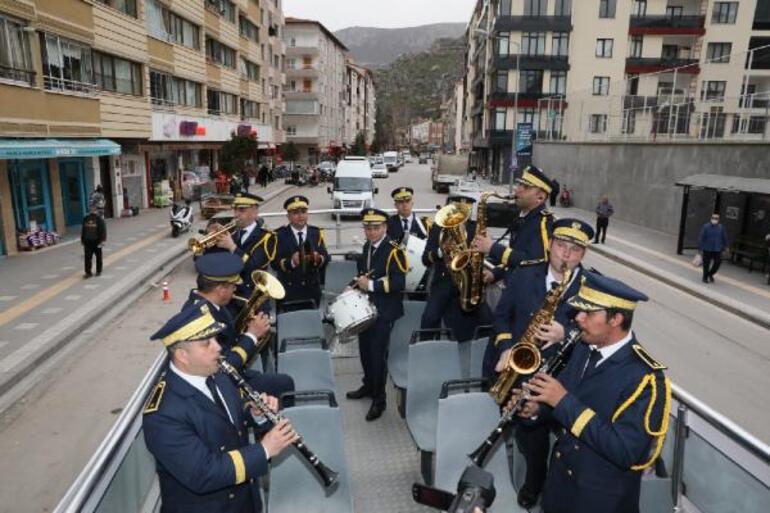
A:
<point x="654" y="253"/>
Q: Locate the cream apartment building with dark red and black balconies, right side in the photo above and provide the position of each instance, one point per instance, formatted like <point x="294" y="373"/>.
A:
<point x="615" y="70"/>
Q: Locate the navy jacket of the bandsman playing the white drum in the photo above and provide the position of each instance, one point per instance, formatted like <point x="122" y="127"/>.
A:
<point x="388" y="265"/>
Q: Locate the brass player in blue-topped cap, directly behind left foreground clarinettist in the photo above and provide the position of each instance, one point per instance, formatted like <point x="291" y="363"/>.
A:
<point x="218" y="277"/>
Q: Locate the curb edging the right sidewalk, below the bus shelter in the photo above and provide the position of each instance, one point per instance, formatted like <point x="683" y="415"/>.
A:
<point x="742" y="310"/>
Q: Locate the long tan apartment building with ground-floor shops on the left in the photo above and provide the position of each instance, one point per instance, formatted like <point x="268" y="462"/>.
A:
<point x="127" y="94"/>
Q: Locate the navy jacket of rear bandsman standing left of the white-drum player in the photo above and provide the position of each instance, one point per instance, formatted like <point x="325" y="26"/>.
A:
<point x="299" y="284"/>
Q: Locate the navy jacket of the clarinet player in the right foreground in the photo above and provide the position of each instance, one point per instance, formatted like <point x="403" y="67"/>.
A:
<point x="613" y="424"/>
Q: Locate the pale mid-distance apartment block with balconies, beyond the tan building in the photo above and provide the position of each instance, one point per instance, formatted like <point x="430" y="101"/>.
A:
<point x="315" y="89"/>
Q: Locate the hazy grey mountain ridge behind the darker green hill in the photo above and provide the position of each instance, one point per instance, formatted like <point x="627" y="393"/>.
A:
<point x="378" y="47"/>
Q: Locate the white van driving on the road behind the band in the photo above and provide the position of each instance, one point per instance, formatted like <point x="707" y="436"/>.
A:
<point x="353" y="188"/>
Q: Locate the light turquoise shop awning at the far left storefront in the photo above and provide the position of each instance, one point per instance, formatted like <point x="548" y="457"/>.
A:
<point x="56" y="148"/>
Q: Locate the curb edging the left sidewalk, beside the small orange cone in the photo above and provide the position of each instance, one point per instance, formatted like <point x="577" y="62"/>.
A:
<point x="104" y="313"/>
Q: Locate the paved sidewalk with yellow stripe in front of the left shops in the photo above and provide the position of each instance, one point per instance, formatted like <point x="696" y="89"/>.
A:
<point x="44" y="300"/>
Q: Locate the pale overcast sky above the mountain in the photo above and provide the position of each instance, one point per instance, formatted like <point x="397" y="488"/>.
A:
<point x="338" y="14"/>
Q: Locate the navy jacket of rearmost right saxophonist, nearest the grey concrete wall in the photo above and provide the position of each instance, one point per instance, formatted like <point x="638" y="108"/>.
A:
<point x="530" y="237"/>
